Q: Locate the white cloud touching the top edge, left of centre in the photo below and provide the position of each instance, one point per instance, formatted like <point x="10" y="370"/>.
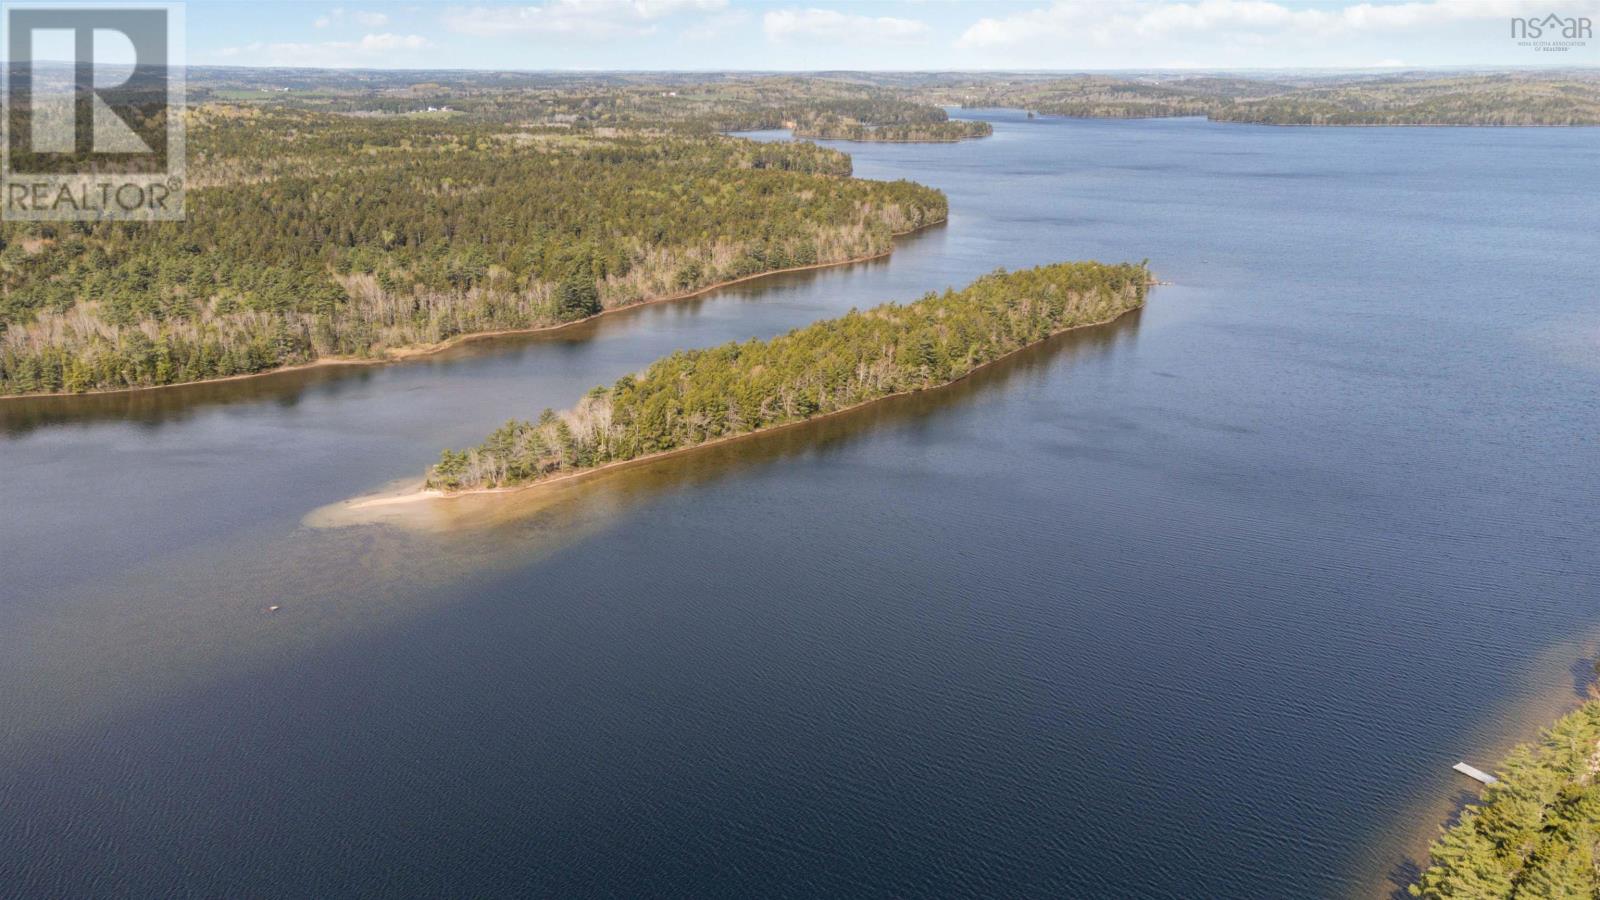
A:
<point x="578" y="18"/>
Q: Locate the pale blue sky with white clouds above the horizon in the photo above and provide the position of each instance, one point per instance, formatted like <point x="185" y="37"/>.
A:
<point x="878" y="34"/>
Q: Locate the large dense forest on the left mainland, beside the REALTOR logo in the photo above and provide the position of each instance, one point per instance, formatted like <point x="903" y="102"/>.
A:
<point x="332" y="236"/>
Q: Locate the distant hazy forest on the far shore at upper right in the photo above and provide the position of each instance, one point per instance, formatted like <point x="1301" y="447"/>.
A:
<point x="1526" y="98"/>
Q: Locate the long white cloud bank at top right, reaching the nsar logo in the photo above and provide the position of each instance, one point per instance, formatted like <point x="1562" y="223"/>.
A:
<point x="1238" y="20"/>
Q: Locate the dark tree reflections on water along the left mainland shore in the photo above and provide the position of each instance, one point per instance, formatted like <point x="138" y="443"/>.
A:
<point x="287" y="388"/>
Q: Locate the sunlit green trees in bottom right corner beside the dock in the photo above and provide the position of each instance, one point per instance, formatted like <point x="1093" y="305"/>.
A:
<point x="1535" y="834"/>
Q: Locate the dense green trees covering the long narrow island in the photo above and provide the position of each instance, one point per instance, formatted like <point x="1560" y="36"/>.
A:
<point x="697" y="396"/>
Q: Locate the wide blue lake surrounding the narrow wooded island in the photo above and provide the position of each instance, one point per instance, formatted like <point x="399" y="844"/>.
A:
<point x="1204" y="603"/>
